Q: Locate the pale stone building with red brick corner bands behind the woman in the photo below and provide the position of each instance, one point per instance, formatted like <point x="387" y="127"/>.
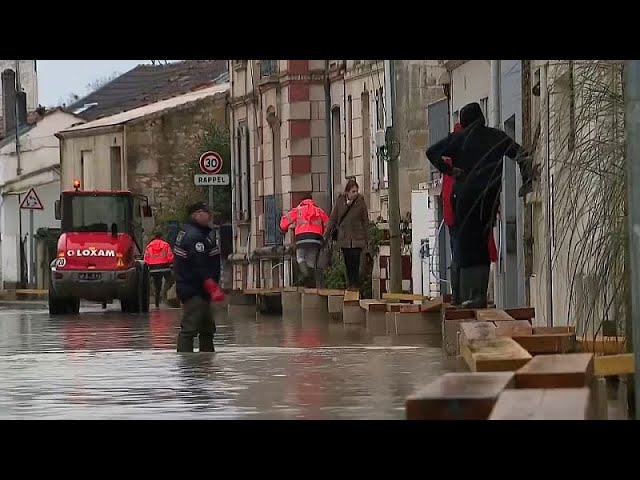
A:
<point x="305" y="126"/>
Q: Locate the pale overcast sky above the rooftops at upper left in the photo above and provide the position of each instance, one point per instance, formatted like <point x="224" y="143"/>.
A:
<point x="57" y="79"/>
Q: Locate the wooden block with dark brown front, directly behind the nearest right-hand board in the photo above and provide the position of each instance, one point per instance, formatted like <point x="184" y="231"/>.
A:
<point x="571" y="370"/>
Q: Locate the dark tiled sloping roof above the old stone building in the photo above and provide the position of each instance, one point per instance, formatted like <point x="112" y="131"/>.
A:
<point x="147" y="84"/>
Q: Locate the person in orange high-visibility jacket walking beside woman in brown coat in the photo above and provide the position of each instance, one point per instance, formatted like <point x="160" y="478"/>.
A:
<point x="310" y="222"/>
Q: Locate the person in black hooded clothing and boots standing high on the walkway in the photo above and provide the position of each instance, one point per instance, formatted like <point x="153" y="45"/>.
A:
<point x="477" y="152"/>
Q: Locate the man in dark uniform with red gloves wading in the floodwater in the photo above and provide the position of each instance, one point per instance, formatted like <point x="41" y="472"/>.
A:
<point x="197" y="270"/>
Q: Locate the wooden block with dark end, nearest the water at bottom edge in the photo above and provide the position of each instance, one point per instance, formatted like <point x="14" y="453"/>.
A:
<point x="458" y="396"/>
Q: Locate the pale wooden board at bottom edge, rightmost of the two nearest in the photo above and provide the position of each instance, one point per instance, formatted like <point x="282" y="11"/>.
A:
<point x="543" y="404"/>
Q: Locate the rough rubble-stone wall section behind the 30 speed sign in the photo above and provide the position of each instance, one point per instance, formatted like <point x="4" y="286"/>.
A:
<point x="162" y="153"/>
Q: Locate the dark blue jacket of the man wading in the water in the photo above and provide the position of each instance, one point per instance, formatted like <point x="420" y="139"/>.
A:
<point x="197" y="258"/>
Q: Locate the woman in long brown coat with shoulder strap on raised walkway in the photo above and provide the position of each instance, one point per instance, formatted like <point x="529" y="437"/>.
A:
<point x="349" y="227"/>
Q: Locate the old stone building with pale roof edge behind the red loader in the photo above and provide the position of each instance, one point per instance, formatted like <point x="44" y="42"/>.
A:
<point x="152" y="150"/>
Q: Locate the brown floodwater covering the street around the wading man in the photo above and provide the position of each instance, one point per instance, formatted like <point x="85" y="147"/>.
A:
<point x="108" y="365"/>
